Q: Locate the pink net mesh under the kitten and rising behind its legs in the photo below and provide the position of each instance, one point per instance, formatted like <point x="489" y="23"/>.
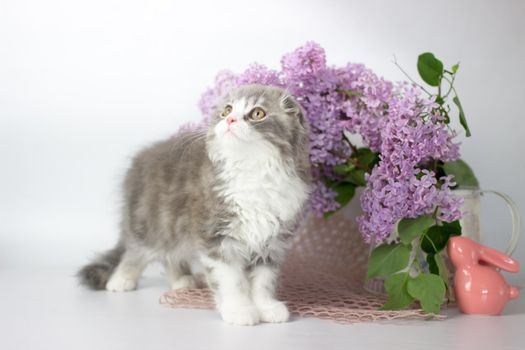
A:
<point x="323" y="277"/>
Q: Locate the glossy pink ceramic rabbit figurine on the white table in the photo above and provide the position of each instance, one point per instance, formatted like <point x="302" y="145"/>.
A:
<point x="479" y="287"/>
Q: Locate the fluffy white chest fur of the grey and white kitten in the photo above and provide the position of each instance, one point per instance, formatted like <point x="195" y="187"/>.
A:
<point x="263" y="193"/>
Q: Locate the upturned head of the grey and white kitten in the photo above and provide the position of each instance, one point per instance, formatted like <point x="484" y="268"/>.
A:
<point x="258" y="116"/>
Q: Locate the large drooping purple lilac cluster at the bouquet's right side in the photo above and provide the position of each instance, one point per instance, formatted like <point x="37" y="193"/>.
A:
<point x="413" y="134"/>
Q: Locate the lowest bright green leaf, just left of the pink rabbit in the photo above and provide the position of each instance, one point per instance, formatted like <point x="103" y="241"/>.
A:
<point x="429" y="289"/>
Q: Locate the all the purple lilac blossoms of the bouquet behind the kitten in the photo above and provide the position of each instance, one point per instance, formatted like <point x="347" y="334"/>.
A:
<point x="394" y="120"/>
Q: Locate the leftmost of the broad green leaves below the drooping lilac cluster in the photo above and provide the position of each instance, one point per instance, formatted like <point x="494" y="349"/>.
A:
<point x="387" y="259"/>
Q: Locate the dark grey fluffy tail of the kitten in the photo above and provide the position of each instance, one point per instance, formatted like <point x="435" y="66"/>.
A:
<point x="96" y="274"/>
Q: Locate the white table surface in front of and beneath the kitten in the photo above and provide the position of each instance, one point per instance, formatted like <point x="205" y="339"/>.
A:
<point x="44" y="308"/>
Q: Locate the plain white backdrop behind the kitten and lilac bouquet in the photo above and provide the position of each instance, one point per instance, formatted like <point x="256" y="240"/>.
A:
<point x="84" y="85"/>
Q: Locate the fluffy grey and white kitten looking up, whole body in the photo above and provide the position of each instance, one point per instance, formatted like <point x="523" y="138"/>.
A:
<point x="219" y="203"/>
